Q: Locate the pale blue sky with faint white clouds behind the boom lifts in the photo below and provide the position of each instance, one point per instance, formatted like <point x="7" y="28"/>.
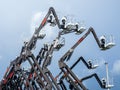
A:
<point x="18" y="20"/>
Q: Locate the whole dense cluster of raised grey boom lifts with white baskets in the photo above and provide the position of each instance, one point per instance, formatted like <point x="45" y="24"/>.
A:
<point x="39" y="77"/>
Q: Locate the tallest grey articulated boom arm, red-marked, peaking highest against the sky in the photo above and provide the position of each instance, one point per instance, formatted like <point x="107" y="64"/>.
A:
<point x="26" y="54"/>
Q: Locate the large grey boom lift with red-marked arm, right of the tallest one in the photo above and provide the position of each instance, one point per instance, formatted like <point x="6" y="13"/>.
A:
<point x="65" y="69"/>
